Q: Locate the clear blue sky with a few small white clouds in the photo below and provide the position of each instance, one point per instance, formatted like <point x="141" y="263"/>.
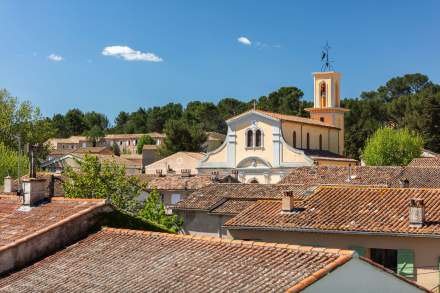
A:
<point x="157" y="52"/>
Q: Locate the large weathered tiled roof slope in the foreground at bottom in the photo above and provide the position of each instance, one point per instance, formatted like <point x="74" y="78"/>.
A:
<point x="136" y="261"/>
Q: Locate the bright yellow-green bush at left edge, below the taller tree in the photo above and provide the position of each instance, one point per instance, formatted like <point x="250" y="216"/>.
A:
<point x="9" y="162"/>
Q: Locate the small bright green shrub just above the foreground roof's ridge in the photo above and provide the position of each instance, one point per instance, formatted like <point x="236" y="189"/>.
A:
<point x="154" y="211"/>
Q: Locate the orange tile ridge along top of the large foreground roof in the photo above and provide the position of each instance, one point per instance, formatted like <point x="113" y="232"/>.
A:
<point x="341" y="252"/>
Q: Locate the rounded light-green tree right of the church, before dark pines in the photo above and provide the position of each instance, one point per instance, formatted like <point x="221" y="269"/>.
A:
<point x="392" y="147"/>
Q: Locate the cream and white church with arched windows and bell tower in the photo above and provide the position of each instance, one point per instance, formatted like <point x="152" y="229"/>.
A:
<point x="261" y="147"/>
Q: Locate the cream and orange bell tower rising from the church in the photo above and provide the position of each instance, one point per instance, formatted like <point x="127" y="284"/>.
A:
<point x="326" y="102"/>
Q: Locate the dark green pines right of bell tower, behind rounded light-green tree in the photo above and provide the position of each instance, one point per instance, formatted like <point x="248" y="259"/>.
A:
<point x="410" y="101"/>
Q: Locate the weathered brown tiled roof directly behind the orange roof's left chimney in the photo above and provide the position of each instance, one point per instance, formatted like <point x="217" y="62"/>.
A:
<point x="214" y="195"/>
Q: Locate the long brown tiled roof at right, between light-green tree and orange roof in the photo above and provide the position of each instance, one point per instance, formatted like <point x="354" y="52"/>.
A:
<point x="363" y="175"/>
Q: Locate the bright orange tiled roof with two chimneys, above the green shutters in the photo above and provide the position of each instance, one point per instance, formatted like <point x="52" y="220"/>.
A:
<point x="347" y="209"/>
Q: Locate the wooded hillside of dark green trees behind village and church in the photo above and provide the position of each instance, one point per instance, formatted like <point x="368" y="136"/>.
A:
<point x="411" y="101"/>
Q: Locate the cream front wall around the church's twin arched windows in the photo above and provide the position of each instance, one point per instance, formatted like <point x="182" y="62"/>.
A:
<point x="265" y="152"/>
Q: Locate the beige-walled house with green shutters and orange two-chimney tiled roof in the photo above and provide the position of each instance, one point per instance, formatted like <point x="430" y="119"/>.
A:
<point x="398" y="228"/>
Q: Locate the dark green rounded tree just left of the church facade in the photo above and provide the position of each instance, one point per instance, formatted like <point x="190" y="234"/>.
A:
<point x="182" y="136"/>
